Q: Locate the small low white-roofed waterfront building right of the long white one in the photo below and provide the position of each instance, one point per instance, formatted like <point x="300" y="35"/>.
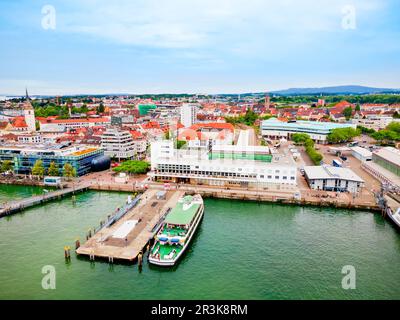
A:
<point x="331" y="178"/>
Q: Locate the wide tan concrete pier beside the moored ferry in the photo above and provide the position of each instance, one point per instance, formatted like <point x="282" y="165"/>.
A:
<point x="129" y="236"/>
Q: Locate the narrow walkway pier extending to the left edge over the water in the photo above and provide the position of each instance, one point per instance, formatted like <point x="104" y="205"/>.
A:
<point x="21" y="204"/>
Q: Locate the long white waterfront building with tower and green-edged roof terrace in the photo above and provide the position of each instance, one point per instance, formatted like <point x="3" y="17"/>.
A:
<point x="223" y="166"/>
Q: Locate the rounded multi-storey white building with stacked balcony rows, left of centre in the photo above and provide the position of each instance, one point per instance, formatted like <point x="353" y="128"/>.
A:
<point x="118" y="144"/>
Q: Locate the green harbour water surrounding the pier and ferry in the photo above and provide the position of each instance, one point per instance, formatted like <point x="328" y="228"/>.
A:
<point x="242" y="250"/>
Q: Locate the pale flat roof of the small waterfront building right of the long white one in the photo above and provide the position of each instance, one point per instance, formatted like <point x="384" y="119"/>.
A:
<point x="331" y="172"/>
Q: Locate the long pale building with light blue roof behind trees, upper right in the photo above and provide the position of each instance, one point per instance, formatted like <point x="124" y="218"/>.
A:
<point x="318" y="131"/>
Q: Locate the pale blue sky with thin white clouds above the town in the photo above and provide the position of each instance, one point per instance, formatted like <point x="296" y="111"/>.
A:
<point x="196" y="46"/>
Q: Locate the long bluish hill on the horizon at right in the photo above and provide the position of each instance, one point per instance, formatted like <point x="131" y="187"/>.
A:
<point x="350" y="89"/>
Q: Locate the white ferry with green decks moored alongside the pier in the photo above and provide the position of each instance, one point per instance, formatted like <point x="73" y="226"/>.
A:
<point x="177" y="230"/>
